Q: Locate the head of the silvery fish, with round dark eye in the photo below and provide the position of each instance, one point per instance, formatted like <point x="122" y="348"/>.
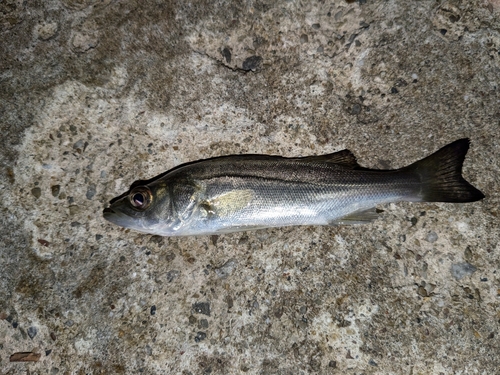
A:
<point x="144" y="208"/>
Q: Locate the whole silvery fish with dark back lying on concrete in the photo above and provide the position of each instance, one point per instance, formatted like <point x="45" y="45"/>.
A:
<point x="247" y="192"/>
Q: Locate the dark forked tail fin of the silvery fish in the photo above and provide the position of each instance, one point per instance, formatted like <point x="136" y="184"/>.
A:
<point x="441" y="175"/>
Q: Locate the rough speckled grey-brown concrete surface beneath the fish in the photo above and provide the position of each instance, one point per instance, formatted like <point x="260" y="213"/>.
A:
<point x="97" y="94"/>
